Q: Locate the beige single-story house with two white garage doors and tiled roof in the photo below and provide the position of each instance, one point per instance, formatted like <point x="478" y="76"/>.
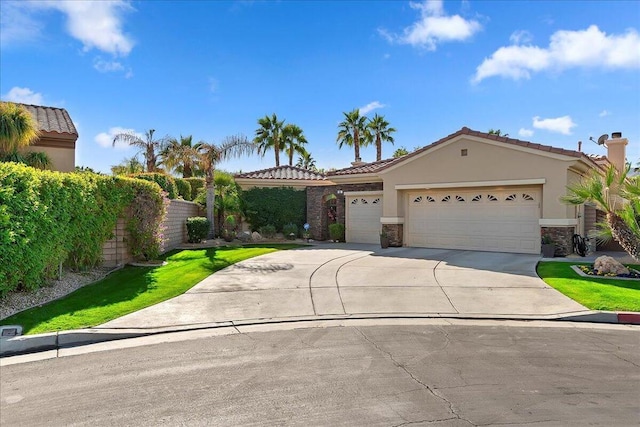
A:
<point x="469" y="190"/>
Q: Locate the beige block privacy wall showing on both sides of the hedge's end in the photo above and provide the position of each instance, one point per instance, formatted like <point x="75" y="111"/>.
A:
<point x="115" y="251"/>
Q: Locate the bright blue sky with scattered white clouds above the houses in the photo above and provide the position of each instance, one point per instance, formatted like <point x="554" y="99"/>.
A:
<point x="548" y="72"/>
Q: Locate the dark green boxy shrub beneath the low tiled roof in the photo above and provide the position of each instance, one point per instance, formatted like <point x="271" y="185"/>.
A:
<point x="275" y="206"/>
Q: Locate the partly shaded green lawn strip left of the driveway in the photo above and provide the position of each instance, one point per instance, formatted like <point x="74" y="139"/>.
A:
<point x="133" y="288"/>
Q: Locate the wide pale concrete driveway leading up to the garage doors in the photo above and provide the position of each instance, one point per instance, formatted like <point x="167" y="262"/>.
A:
<point x="349" y="280"/>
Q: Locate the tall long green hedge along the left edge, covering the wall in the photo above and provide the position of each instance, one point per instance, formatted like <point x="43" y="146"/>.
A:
<point x="48" y="218"/>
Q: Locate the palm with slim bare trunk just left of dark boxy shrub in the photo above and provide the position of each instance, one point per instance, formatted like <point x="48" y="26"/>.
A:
<point x="212" y="154"/>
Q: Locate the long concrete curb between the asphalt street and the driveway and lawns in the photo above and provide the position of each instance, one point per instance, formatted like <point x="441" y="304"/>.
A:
<point x="26" y="344"/>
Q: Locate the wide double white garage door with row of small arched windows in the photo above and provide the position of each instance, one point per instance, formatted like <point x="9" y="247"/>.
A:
<point x="486" y="220"/>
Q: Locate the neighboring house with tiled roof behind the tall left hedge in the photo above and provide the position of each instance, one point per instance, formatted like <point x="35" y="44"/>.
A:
<point x="57" y="138"/>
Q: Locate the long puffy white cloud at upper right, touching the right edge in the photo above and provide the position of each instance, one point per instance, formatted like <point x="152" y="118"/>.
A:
<point x="588" y="48"/>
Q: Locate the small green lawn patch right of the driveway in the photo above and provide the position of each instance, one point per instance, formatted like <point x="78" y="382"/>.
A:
<point x="596" y="294"/>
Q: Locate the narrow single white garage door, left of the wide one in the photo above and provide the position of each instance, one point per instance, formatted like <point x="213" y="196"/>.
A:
<point x="363" y="218"/>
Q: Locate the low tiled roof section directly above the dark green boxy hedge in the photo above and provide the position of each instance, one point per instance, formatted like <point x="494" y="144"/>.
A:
<point x="282" y="176"/>
